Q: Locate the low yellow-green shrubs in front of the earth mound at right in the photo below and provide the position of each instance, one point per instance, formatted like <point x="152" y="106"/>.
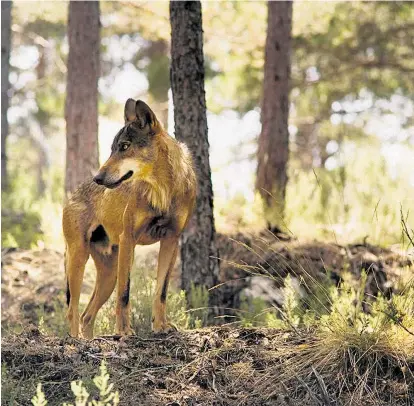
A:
<point x="340" y="313"/>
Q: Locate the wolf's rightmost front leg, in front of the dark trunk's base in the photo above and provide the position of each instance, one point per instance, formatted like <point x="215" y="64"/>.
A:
<point x="166" y="260"/>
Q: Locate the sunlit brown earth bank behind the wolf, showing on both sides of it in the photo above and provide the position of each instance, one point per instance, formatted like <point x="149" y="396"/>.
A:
<point x="251" y="265"/>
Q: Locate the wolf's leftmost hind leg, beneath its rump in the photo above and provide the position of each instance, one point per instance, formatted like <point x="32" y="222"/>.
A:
<point x="76" y="256"/>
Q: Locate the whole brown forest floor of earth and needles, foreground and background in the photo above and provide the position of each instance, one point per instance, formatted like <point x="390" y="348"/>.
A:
<point x="223" y="365"/>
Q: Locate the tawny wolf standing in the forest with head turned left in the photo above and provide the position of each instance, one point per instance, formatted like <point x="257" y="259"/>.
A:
<point x="144" y="193"/>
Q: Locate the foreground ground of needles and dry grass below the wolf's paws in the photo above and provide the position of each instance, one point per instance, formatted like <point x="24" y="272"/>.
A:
<point x="218" y="366"/>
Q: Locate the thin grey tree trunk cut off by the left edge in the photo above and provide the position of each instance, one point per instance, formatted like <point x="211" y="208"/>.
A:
<point x="5" y="63"/>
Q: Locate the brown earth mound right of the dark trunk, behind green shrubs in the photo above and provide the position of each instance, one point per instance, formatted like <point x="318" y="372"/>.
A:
<point x="256" y="265"/>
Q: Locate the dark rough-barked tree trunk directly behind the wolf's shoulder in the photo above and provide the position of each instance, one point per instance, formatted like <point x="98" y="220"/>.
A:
<point x="198" y="249"/>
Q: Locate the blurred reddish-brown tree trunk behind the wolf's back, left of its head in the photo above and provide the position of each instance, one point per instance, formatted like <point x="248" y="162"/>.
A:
<point x="81" y="108"/>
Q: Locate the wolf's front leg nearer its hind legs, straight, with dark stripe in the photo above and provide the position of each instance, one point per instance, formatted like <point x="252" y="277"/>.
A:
<point x="125" y="260"/>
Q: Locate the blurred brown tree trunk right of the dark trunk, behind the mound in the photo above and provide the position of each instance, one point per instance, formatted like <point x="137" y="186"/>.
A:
<point x="273" y="152"/>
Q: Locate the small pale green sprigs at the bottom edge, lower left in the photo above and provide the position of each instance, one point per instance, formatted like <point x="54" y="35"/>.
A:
<point x="107" y="395"/>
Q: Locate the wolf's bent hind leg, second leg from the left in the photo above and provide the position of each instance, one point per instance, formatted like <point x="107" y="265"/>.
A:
<point x="106" y="273"/>
